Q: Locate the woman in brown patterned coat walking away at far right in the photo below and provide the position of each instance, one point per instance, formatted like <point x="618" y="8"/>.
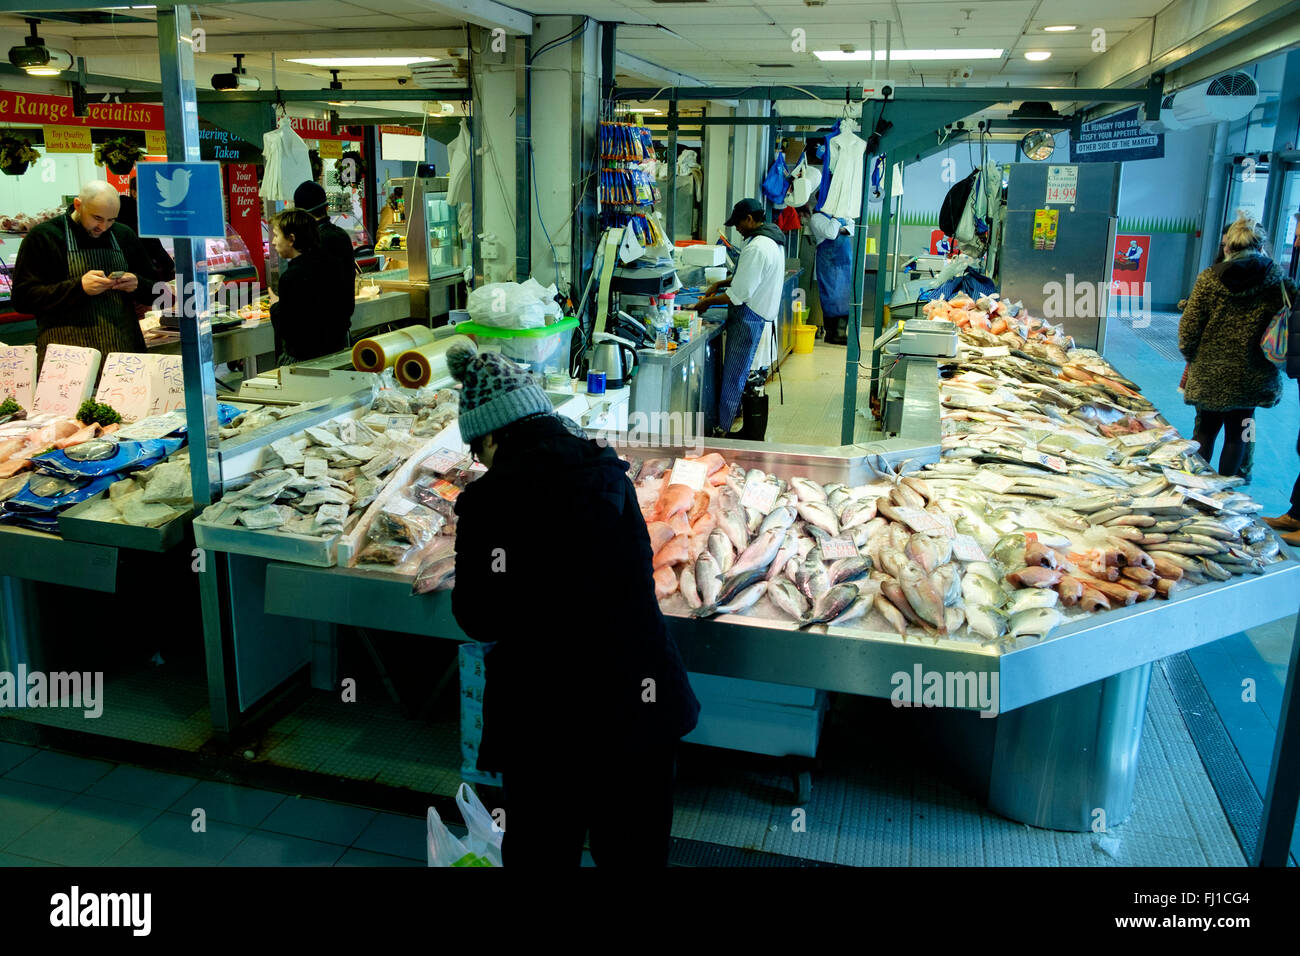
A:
<point x="1228" y="313"/>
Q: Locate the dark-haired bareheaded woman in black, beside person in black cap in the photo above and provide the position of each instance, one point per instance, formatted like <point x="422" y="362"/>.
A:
<point x="302" y="313"/>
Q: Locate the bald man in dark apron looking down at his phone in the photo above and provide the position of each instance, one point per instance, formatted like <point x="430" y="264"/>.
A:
<point x="83" y="276"/>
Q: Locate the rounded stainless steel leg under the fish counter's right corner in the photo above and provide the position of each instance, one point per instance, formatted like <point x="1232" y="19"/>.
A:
<point x="1071" y="763"/>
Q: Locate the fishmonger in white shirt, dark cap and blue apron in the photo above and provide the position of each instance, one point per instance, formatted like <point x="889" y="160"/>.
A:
<point x="753" y="297"/>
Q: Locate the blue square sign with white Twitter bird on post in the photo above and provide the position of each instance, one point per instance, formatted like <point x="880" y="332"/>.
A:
<point x="181" y="201"/>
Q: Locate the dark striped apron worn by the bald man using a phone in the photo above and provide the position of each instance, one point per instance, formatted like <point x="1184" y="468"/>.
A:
<point x="106" y="322"/>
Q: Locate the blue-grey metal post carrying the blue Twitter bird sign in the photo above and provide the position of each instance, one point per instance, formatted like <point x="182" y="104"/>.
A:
<point x="180" y="107"/>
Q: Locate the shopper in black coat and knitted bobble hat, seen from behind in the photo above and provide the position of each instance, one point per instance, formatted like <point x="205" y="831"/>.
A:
<point x="587" y="695"/>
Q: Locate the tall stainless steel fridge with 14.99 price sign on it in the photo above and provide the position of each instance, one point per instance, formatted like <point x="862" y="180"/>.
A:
<point x="1067" y="278"/>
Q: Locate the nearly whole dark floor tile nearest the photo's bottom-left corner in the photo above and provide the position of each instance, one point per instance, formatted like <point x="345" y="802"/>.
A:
<point x="84" y="833"/>
